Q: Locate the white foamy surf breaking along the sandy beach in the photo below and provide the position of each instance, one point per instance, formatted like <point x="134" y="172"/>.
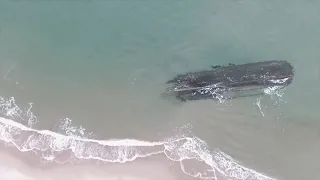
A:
<point x="51" y="146"/>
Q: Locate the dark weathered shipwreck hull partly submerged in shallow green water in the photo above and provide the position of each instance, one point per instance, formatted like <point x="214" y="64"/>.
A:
<point x="231" y="81"/>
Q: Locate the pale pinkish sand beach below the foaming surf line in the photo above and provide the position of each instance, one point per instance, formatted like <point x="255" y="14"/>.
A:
<point x="22" y="166"/>
